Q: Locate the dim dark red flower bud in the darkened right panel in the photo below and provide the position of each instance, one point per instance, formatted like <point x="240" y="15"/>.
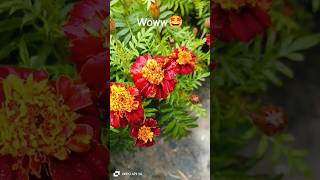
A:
<point x="271" y="119"/>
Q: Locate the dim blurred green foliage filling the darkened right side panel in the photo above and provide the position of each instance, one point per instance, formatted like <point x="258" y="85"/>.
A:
<point x="244" y="73"/>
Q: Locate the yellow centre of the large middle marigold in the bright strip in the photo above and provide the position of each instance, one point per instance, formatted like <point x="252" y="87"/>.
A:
<point x="153" y="72"/>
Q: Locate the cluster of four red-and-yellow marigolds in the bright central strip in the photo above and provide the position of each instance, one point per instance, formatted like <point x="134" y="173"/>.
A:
<point x="153" y="77"/>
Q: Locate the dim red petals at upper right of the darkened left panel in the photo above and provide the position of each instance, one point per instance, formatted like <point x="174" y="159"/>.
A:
<point x="86" y="30"/>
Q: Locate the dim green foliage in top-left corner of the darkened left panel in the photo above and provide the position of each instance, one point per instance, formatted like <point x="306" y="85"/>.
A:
<point x="31" y="34"/>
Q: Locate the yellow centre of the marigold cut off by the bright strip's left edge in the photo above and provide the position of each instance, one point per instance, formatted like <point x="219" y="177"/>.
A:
<point x="121" y="100"/>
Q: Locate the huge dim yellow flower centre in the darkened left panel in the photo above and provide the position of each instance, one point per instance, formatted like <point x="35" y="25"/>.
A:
<point x="34" y="121"/>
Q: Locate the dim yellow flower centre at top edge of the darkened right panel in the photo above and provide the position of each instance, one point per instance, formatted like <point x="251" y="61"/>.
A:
<point x="234" y="4"/>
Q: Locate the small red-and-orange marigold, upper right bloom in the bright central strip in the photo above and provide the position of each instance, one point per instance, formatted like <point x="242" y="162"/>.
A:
<point x="184" y="59"/>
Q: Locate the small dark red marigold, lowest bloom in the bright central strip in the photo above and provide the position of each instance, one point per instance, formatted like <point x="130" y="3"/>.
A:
<point x="145" y="133"/>
